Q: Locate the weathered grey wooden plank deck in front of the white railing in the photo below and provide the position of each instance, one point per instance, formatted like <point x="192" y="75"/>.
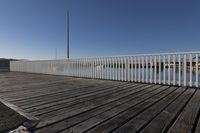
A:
<point x="67" y="105"/>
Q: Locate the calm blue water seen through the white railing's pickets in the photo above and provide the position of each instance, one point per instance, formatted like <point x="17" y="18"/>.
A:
<point x="123" y="74"/>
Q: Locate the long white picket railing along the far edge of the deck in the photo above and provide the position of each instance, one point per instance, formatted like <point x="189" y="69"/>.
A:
<point x="182" y="69"/>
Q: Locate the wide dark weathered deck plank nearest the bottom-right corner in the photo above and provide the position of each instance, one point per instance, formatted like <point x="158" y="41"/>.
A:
<point x="186" y="120"/>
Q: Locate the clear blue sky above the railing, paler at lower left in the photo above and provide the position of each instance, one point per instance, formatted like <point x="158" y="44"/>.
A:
<point x="33" y="29"/>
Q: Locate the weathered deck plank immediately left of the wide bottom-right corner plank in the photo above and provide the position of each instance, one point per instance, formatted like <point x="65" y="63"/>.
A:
<point x="163" y="121"/>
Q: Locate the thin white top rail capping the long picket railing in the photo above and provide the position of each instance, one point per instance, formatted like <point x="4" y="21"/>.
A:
<point x="118" y="56"/>
